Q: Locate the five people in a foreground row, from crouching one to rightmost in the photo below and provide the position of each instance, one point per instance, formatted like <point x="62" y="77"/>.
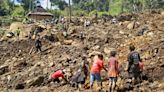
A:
<point x="135" y="68"/>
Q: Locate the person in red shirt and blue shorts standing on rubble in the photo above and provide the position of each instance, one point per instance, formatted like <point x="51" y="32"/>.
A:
<point x="96" y="68"/>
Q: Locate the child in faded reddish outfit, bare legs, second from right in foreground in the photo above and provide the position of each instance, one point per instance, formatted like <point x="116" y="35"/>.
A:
<point x="113" y="71"/>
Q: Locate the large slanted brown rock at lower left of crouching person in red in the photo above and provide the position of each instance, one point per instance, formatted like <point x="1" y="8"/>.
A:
<point x="37" y="81"/>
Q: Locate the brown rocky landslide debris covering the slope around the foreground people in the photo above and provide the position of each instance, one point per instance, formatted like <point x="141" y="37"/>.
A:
<point x="23" y="70"/>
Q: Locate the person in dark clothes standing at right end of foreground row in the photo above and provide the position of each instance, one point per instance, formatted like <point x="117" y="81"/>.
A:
<point x="133" y="64"/>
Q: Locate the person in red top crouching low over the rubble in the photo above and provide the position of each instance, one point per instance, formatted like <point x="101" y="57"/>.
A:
<point x="58" y="74"/>
